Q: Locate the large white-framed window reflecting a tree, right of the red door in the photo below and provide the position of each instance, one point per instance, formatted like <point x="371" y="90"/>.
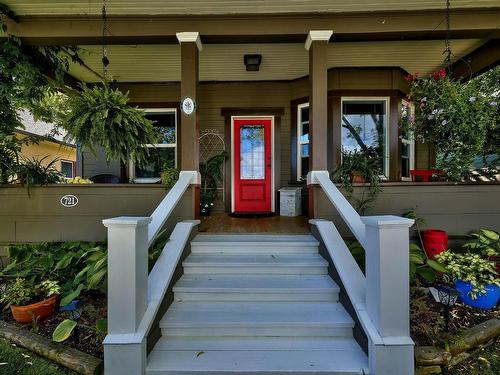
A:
<point x="364" y="128"/>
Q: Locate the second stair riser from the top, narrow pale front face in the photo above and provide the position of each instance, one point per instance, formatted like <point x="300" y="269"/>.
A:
<point x="254" y="270"/>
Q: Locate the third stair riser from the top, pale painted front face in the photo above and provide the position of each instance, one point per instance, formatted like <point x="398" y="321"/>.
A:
<point x="256" y="297"/>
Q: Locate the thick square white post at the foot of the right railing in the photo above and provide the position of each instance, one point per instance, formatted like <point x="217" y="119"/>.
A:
<point x="387" y="294"/>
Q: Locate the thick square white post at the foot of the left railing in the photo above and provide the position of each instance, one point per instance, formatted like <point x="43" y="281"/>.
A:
<point x="127" y="294"/>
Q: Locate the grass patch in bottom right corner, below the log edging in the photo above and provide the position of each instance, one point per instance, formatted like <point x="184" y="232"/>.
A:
<point x="484" y="361"/>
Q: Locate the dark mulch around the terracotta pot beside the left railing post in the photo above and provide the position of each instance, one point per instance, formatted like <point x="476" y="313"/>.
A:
<point x="87" y="339"/>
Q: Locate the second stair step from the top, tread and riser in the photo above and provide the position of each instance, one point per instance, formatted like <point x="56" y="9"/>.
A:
<point x="279" y="264"/>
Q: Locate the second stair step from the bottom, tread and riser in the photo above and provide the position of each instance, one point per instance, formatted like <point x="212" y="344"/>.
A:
<point x="256" y="319"/>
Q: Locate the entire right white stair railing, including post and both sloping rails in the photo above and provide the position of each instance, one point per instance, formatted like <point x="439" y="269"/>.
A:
<point x="381" y="299"/>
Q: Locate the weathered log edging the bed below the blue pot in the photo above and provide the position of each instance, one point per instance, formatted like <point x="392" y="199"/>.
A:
<point x="476" y="335"/>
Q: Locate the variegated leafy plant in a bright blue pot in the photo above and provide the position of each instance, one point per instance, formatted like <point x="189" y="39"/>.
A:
<point x="475" y="278"/>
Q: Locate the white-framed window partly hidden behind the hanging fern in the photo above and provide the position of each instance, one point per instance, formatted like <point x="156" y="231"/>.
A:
<point x="162" y="155"/>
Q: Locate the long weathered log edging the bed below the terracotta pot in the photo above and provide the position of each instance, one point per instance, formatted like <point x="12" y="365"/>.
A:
<point x="71" y="358"/>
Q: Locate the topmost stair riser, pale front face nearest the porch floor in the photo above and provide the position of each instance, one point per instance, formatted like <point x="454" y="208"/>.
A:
<point x="242" y="249"/>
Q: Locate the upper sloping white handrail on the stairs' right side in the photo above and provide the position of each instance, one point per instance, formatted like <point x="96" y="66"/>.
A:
<point x="344" y="208"/>
